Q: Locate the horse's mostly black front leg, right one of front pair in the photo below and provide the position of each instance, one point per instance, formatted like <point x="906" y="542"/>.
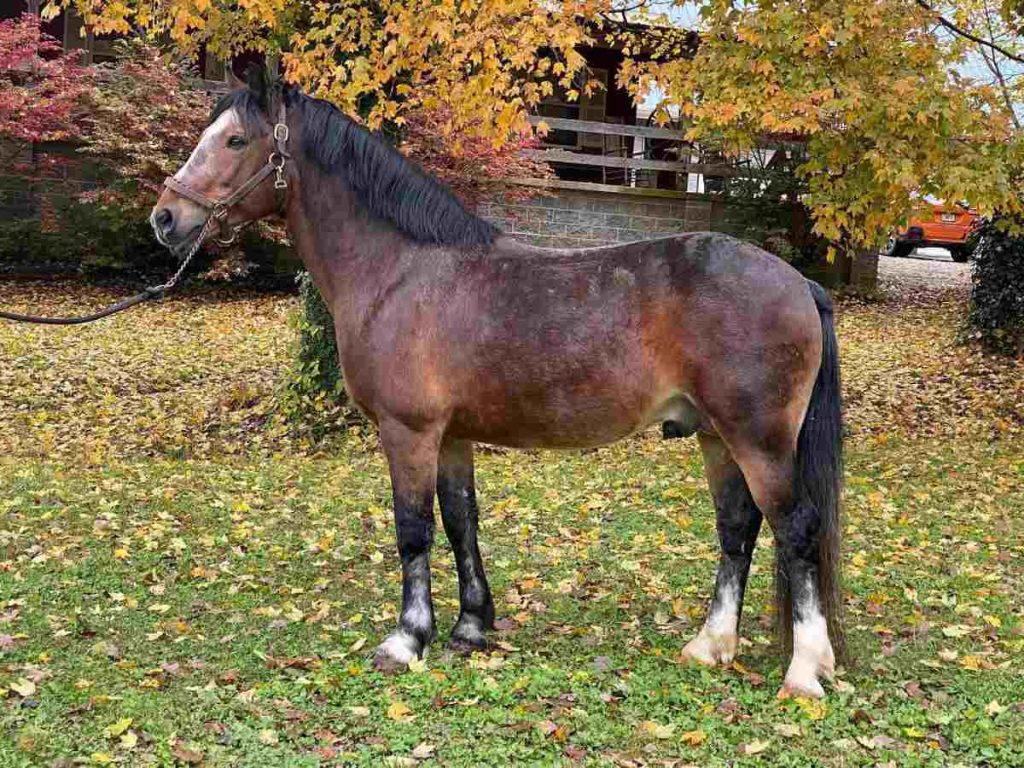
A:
<point x="457" y="495"/>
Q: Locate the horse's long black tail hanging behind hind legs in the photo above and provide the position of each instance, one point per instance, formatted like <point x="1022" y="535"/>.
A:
<point x="820" y="481"/>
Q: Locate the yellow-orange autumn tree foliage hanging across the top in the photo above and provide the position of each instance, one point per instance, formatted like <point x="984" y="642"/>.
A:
<point x="878" y="89"/>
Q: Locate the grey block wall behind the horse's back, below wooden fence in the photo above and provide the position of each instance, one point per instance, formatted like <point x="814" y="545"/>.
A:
<point x="569" y="218"/>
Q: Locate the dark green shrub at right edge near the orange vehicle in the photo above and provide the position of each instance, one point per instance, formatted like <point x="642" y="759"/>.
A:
<point x="997" y="314"/>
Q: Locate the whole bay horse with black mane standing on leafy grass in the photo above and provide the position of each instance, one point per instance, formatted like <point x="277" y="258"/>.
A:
<point x="451" y="333"/>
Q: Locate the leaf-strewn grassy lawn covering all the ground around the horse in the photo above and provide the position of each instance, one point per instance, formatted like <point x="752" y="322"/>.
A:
<point x="185" y="583"/>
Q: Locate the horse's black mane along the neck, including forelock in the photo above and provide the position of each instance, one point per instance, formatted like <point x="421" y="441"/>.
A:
<point x="390" y="186"/>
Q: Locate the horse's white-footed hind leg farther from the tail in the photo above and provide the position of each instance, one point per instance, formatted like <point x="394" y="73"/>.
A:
<point x="739" y="522"/>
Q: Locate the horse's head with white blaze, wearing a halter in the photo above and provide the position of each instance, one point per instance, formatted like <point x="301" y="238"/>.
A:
<point x="236" y="175"/>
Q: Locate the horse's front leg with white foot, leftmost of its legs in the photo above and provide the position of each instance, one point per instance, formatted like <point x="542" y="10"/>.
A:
<point x="412" y="458"/>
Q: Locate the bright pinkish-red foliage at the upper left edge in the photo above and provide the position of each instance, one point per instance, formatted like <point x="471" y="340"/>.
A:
<point x="42" y="91"/>
